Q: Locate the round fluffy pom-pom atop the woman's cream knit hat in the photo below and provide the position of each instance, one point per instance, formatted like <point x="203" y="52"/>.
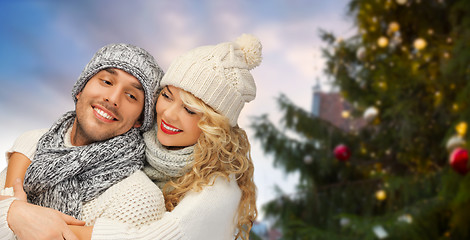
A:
<point x="251" y="46"/>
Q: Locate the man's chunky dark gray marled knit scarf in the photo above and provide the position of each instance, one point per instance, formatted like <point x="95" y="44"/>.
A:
<point x="63" y="177"/>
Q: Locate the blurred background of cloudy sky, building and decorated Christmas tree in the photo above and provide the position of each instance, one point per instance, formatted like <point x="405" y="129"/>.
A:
<point x="359" y="127"/>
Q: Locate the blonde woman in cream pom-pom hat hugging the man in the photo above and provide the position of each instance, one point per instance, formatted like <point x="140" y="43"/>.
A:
<point x="196" y="151"/>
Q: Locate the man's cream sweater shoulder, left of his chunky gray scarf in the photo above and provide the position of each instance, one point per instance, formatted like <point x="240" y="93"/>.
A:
<point x="26" y="143"/>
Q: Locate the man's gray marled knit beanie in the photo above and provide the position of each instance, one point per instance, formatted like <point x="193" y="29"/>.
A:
<point x="135" y="61"/>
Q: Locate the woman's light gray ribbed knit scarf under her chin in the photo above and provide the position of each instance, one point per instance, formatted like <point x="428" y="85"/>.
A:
<point x="162" y="164"/>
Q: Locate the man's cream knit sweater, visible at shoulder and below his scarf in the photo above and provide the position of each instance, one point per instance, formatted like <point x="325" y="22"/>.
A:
<point x="136" y="200"/>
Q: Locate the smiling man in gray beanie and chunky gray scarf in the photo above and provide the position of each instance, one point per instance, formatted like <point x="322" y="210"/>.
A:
<point x="87" y="150"/>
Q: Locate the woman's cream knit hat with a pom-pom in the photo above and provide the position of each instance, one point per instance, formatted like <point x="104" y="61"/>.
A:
<point x="219" y="74"/>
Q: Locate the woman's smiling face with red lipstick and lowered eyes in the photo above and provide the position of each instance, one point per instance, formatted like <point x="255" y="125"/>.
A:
<point x="176" y="123"/>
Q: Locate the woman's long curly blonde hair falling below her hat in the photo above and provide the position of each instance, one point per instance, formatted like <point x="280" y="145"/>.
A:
<point x="220" y="151"/>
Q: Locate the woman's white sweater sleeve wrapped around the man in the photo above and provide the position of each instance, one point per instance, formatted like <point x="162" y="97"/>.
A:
<point x="214" y="206"/>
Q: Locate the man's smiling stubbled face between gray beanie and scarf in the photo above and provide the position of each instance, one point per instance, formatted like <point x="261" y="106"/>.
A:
<point x="109" y="105"/>
